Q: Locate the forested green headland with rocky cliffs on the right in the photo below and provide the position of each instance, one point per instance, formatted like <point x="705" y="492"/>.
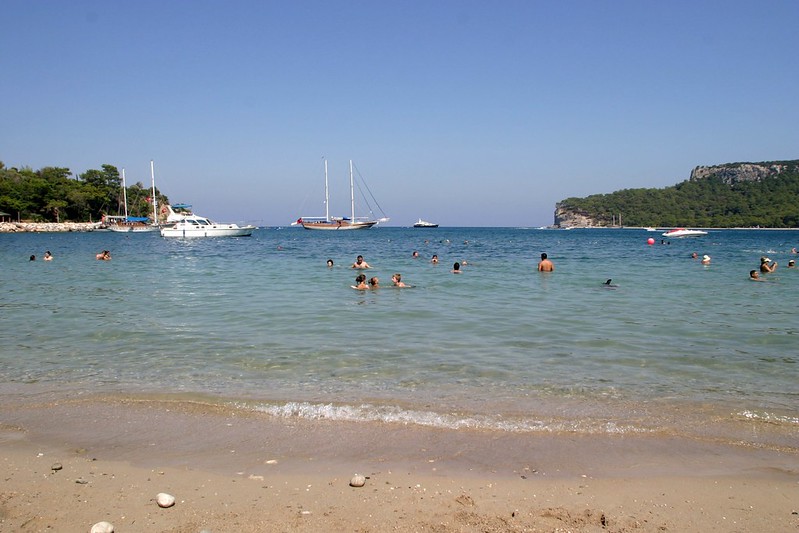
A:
<point x="724" y="196"/>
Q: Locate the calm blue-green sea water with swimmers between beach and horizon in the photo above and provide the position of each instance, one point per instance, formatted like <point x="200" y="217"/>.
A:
<point x="263" y="323"/>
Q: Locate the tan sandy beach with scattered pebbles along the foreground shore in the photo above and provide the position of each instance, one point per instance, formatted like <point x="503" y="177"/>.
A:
<point x="69" y="464"/>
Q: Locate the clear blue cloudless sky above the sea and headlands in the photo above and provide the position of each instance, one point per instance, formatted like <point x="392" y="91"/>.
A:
<point x="462" y="112"/>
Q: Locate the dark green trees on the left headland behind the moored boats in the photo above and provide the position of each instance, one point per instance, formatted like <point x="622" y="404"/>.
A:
<point x="52" y="194"/>
